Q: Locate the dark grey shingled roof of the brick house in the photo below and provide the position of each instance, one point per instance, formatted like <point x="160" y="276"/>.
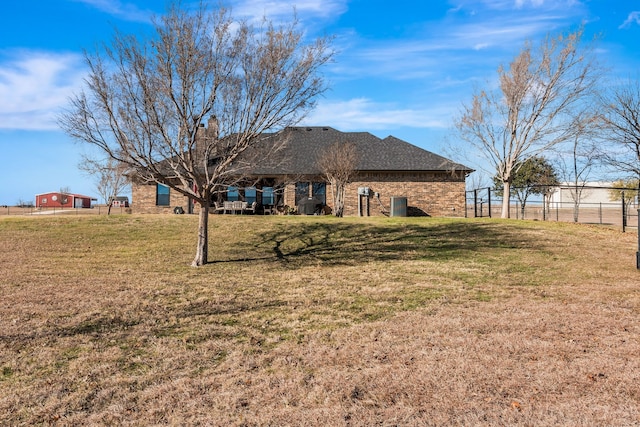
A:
<point x="305" y="145"/>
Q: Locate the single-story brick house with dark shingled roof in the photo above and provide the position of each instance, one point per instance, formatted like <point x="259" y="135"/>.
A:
<point x="388" y="169"/>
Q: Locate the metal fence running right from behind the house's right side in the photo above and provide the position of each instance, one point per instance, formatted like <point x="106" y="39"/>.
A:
<point x="484" y="203"/>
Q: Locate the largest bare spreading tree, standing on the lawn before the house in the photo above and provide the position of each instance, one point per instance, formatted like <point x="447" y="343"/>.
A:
<point x="146" y="99"/>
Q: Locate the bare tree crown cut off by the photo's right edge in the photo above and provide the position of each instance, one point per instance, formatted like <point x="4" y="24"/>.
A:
<point x="621" y="110"/>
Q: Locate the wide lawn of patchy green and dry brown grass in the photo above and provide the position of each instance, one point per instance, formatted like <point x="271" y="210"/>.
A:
<point x="317" y="321"/>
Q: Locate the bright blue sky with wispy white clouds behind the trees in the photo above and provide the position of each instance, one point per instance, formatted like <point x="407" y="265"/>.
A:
<point x="403" y="68"/>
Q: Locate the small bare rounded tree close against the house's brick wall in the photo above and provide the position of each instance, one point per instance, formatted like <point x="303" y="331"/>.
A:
<point x="338" y="164"/>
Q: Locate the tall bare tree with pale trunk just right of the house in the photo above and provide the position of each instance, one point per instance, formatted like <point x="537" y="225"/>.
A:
<point x="534" y="108"/>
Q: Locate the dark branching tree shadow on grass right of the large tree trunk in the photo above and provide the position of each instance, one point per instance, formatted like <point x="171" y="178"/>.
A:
<point x="353" y="243"/>
